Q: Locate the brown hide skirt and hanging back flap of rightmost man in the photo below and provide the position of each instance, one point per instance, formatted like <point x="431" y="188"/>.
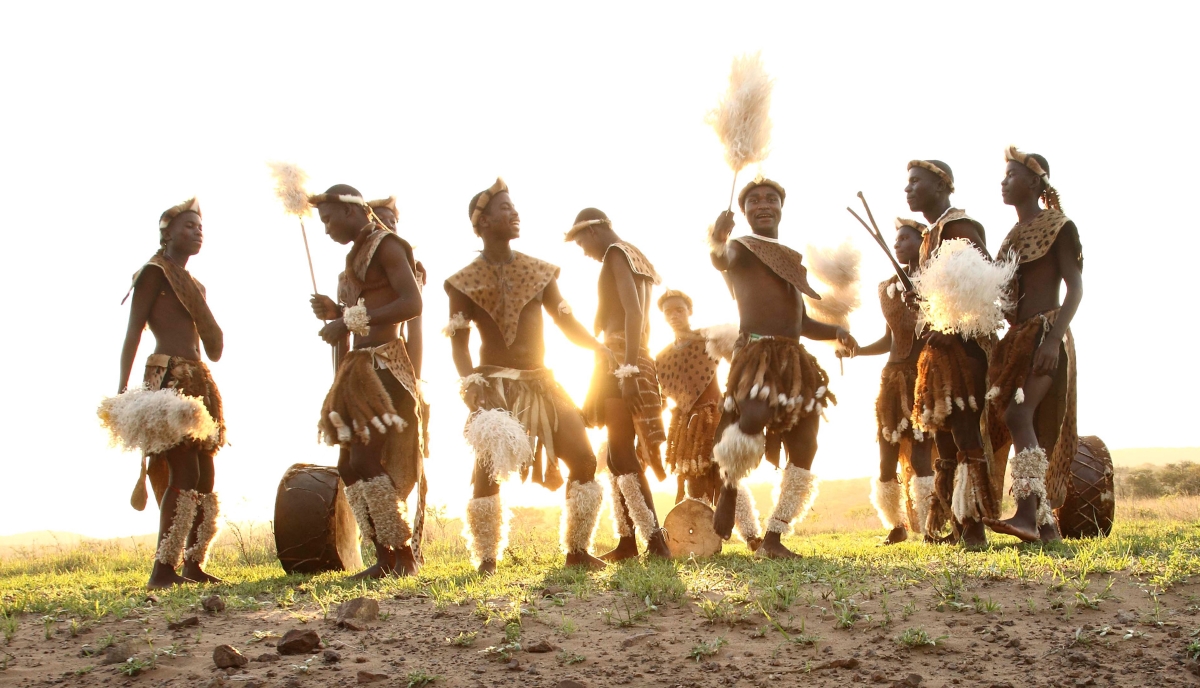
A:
<point x="1055" y="420"/>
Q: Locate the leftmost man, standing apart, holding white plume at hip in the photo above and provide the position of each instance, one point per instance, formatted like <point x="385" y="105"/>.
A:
<point x="172" y="303"/>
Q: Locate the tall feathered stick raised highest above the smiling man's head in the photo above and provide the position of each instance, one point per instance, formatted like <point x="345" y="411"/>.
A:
<point x="742" y="119"/>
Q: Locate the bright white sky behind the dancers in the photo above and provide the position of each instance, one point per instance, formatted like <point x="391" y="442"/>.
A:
<point x="113" y="115"/>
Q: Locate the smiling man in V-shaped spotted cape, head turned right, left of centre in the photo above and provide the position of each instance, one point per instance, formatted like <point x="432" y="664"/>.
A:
<point x="518" y="409"/>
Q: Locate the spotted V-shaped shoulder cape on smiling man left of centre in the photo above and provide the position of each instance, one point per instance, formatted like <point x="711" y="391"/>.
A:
<point x="503" y="291"/>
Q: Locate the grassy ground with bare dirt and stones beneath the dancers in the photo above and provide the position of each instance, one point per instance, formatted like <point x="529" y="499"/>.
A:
<point x="844" y="597"/>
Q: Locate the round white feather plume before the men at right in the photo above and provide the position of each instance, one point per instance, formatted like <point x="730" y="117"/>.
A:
<point x="962" y="292"/>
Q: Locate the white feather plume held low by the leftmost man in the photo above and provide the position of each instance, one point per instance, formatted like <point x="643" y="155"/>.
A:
<point x="154" y="422"/>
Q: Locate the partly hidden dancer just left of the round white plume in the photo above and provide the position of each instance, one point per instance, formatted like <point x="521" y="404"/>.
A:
<point x="899" y="440"/>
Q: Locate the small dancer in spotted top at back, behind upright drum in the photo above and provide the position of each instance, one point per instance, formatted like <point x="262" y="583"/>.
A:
<point x="688" y="375"/>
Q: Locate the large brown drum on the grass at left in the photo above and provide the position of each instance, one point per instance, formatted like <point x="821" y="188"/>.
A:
<point x="315" y="529"/>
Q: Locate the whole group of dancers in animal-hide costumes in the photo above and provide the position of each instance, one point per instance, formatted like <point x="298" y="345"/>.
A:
<point x="950" y="405"/>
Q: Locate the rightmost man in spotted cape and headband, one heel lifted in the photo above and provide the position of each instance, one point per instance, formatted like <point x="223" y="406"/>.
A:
<point x="1033" y="373"/>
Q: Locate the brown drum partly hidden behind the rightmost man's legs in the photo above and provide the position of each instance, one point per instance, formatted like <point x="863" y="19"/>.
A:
<point x="1090" y="506"/>
